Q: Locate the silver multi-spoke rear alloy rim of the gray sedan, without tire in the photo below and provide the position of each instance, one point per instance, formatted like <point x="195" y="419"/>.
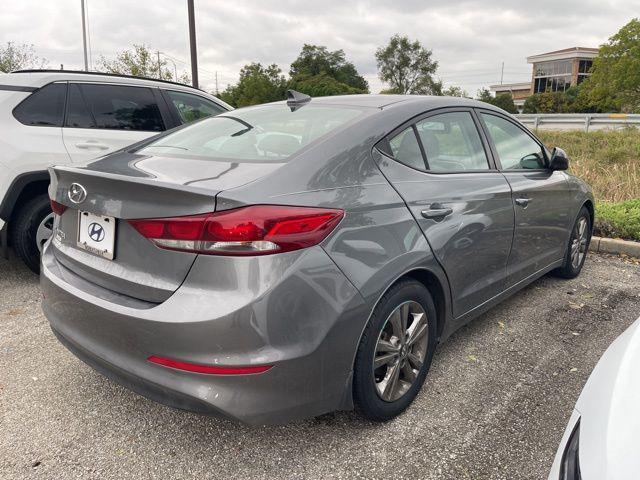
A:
<point x="400" y="351"/>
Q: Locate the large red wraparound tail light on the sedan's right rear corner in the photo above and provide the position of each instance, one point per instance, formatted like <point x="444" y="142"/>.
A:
<point x="254" y="230"/>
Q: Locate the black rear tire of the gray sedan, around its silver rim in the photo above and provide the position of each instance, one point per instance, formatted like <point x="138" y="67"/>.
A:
<point x="367" y="398"/>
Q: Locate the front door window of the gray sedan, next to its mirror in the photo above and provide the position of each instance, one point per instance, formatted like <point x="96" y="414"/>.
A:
<point x="515" y="148"/>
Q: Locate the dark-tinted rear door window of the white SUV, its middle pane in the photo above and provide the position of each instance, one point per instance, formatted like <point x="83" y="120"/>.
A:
<point x="113" y="107"/>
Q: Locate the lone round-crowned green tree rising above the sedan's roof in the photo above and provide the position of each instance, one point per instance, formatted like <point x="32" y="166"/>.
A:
<point x="407" y="67"/>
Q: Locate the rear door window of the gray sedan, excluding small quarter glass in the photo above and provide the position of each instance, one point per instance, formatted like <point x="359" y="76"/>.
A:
<point x="452" y="143"/>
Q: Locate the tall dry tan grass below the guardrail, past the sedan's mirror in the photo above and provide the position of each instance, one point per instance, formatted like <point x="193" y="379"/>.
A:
<point x="609" y="160"/>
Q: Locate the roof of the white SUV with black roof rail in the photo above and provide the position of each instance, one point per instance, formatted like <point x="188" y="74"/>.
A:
<point x="39" y="78"/>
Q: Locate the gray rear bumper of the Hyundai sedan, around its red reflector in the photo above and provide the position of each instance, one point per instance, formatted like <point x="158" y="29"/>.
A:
<point x="294" y="311"/>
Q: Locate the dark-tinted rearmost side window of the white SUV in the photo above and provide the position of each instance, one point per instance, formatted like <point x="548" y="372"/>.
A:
<point x="44" y="107"/>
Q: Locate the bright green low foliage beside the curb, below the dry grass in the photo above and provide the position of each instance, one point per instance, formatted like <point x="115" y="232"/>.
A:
<point x="618" y="220"/>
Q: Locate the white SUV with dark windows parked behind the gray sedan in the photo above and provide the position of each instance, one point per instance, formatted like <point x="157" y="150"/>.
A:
<point x="59" y="117"/>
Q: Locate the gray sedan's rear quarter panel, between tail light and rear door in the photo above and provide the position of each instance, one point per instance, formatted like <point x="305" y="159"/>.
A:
<point x="378" y="240"/>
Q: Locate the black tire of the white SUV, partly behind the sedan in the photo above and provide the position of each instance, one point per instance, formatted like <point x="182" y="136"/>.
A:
<point x="23" y="229"/>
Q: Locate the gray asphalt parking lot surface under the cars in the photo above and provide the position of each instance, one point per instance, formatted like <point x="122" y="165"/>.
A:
<point x="494" y="405"/>
